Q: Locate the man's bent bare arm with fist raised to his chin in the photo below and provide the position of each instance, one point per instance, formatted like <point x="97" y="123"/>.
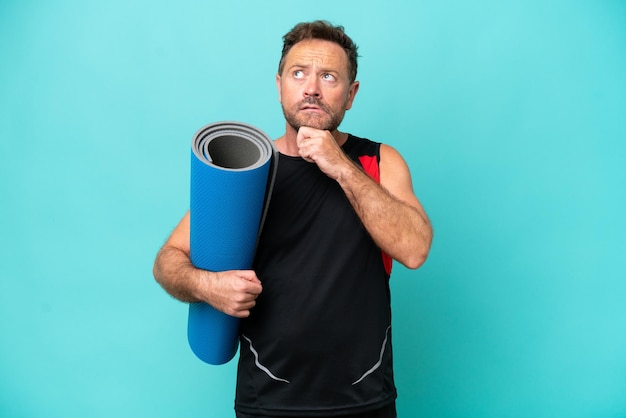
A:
<point x="390" y="211"/>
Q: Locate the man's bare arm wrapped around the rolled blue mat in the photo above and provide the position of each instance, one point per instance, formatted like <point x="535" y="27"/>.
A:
<point x="232" y="292"/>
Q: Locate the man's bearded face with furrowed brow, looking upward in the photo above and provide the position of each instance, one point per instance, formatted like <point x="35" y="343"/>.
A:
<point x="314" y="88"/>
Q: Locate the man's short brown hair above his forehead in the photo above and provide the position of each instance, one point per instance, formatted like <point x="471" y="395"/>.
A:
<point x="320" y="29"/>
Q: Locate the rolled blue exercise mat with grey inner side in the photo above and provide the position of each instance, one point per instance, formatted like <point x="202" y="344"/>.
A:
<point x="233" y="167"/>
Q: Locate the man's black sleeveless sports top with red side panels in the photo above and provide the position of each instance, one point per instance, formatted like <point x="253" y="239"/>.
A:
<point x="318" y="342"/>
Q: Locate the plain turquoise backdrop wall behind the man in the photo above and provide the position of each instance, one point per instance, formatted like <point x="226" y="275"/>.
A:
<point x="509" y="113"/>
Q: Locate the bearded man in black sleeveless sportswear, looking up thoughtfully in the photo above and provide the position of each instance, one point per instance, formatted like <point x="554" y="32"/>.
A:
<point x="316" y="333"/>
